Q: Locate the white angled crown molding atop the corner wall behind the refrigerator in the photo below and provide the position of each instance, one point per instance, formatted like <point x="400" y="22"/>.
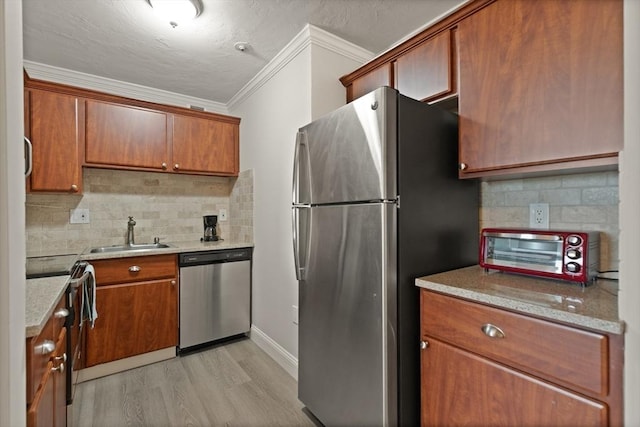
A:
<point x="310" y="35"/>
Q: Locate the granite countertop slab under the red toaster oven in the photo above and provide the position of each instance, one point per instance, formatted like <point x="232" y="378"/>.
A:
<point x="593" y="307"/>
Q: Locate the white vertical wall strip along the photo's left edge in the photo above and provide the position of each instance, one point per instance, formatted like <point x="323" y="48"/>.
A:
<point x="12" y="242"/>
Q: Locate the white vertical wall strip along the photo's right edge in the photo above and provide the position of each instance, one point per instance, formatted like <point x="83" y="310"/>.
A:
<point x="629" y="297"/>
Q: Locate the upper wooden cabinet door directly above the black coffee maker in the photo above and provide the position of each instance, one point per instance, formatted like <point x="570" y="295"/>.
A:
<point x="204" y="145"/>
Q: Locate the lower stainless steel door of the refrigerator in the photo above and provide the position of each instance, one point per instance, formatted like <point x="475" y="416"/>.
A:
<point x="343" y="363"/>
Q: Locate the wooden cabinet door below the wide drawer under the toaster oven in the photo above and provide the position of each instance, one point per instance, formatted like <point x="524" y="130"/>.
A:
<point x="461" y="388"/>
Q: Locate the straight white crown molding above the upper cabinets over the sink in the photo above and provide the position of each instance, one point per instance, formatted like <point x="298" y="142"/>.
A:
<point x="50" y="73"/>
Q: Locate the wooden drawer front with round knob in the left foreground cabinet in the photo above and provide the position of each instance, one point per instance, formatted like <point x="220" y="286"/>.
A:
<point x="41" y="348"/>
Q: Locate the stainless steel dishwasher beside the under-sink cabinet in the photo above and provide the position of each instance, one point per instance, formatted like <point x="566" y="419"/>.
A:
<point x="215" y="296"/>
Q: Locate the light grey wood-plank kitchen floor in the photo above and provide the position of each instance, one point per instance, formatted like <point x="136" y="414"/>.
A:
<point x="234" y="384"/>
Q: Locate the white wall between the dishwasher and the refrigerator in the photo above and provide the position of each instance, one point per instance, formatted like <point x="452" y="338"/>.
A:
<point x="304" y="87"/>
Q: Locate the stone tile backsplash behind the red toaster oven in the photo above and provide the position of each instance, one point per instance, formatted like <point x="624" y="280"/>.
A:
<point x="576" y="202"/>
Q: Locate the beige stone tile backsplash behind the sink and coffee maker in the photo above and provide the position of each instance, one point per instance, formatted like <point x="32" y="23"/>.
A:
<point x="169" y="206"/>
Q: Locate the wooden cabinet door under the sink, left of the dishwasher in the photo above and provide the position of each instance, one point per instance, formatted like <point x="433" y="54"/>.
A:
<point x="133" y="319"/>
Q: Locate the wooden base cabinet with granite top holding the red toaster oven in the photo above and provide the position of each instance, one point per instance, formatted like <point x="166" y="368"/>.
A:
<point x="503" y="350"/>
